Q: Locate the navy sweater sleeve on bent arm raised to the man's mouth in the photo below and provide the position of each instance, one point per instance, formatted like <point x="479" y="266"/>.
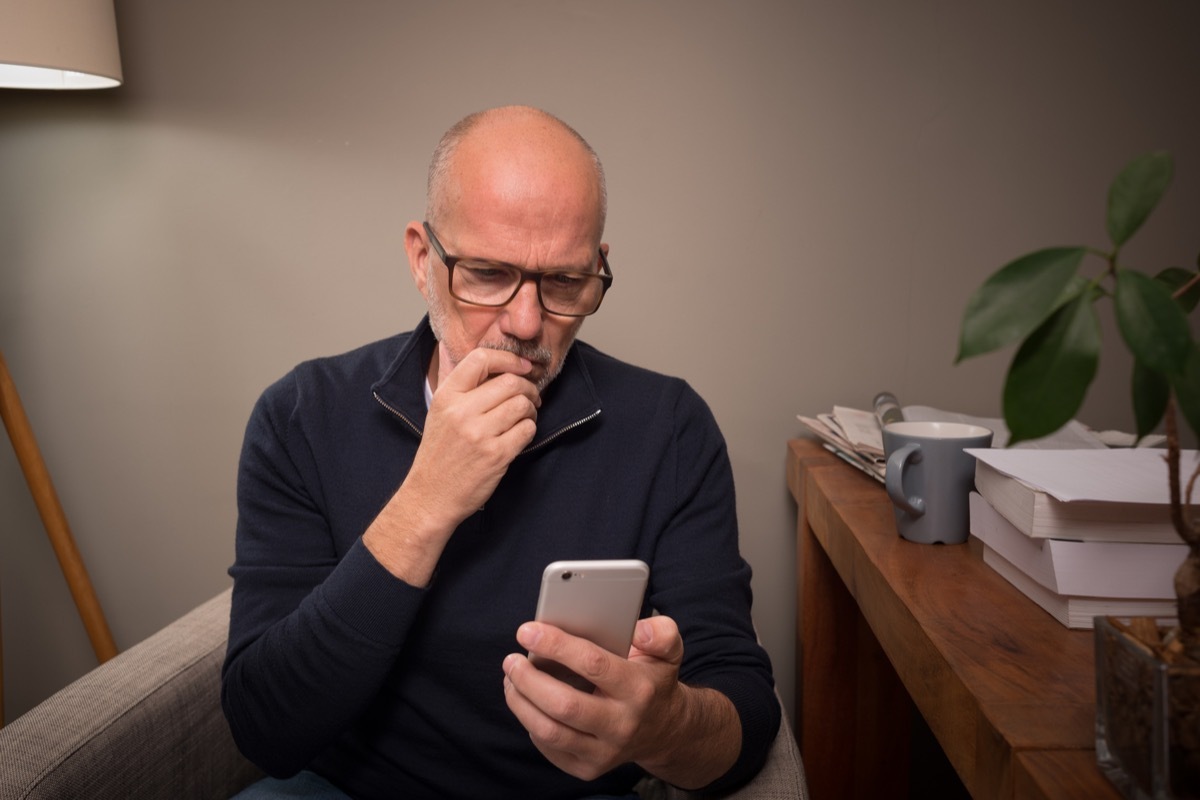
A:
<point x="314" y="633"/>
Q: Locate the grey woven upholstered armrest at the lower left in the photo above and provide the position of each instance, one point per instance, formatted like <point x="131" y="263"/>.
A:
<point x="146" y="725"/>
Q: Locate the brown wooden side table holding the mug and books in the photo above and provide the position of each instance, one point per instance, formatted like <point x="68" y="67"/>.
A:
<point x="1009" y="691"/>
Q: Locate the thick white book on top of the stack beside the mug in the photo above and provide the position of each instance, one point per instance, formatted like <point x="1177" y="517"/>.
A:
<point x="1113" y="496"/>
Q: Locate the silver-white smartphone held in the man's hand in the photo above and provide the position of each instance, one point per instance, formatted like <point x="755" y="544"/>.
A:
<point x="598" y="600"/>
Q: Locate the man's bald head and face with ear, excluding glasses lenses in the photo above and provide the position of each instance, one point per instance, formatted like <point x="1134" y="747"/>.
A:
<point x="523" y="194"/>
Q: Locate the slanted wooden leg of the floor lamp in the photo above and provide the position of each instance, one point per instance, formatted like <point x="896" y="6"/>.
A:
<point x="53" y="520"/>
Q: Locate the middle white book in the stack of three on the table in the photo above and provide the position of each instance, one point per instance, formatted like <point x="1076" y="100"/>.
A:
<point x="1126" y="570"/>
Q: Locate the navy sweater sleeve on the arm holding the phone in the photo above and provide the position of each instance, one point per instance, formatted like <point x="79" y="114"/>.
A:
<point x="703" y="582"/>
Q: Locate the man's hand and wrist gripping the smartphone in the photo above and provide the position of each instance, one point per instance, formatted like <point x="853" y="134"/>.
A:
<point x="639" y="712"/>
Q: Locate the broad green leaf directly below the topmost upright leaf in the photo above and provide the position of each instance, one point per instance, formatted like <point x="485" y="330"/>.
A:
<point x="1151" y="323"/>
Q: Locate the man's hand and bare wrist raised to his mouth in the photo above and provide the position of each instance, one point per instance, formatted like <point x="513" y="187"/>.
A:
<point x="483" y="416"/>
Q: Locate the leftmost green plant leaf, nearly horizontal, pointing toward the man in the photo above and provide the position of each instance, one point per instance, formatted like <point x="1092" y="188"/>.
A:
<point x="1017" y="299"/>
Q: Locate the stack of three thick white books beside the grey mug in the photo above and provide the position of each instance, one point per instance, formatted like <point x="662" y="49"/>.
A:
<point x="1082" y="533"/>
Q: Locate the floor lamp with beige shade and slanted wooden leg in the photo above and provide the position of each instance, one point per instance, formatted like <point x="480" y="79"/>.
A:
<point x="56" y="45"/>
